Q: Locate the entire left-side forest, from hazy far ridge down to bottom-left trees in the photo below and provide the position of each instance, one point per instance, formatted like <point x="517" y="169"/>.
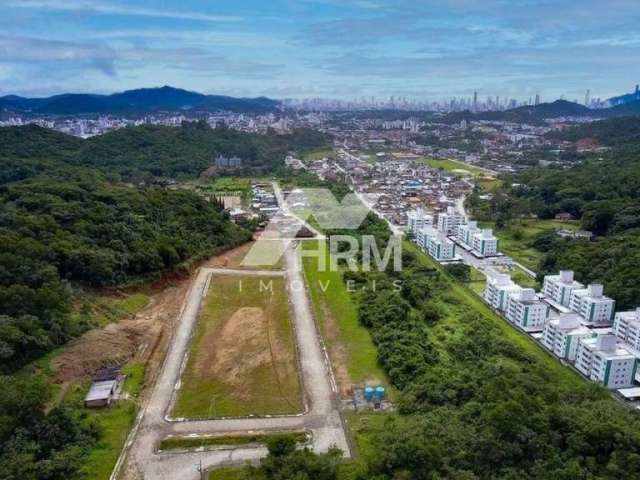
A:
<point x="78" y="215"/>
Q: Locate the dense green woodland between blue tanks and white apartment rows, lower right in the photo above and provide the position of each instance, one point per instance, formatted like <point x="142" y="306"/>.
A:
<point x="476" y="399"/>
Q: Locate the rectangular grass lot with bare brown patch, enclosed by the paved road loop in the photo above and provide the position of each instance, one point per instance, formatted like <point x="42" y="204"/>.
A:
<point x="243" y="355"/>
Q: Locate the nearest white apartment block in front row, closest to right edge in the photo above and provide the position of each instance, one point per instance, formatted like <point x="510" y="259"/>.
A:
<point x="603" y="361"/>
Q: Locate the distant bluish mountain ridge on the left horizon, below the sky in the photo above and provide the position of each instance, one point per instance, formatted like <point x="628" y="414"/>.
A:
<point x="136" y="102"/>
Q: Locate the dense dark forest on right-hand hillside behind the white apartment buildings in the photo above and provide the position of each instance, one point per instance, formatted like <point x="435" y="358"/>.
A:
<point x="603" y="192"/>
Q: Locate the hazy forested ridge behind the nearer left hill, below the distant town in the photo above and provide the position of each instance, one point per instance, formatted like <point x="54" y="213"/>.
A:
<point x="148" y="152"/>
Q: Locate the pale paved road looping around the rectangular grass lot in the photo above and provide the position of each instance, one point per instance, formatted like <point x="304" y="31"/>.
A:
<point x="322" y="418"/>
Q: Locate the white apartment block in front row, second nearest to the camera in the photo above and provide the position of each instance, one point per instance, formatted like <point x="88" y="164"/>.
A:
<point x="561" y="335"/>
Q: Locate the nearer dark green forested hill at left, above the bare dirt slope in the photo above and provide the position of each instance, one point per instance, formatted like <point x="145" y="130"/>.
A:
<point x="71" y="228"/>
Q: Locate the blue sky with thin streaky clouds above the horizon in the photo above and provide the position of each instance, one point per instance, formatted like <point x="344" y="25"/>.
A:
<point x="326" y="48"/>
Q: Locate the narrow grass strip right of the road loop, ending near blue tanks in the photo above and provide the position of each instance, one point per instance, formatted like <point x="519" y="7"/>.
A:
<point x="353" y="354"/>
